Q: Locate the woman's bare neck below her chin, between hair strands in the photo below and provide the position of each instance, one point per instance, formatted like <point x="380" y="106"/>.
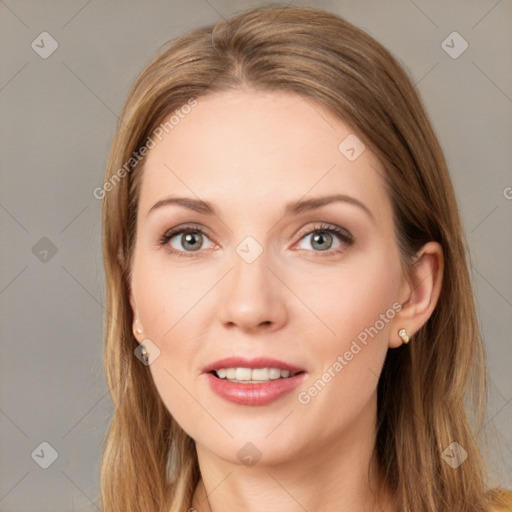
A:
<point x="336" y="474"/>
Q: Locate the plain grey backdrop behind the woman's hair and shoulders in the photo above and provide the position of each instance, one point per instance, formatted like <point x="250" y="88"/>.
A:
<point x="58" y="116"/>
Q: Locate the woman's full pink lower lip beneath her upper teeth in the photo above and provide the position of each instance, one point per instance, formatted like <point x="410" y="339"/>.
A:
<point x="254" y="394"/>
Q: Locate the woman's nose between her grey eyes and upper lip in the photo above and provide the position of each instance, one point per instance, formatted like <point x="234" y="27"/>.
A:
<point x="253" y="296"/>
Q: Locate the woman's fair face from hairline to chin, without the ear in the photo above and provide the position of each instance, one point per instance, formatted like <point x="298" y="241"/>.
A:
<point x="257" y="282"/>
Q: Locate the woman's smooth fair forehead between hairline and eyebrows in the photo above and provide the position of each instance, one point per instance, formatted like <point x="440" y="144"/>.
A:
<point x="257" y="149"/>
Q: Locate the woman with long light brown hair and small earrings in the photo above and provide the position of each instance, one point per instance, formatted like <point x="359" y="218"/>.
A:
<point x="313" y="347"/>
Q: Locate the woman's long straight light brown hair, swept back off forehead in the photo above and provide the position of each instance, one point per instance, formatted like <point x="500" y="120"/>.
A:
<point x="148" y="462"/>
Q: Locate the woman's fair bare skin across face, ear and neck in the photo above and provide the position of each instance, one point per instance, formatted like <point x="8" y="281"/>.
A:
<point x="249" y="153"/>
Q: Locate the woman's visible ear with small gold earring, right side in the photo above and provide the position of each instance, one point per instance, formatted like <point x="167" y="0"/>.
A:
<point x="420" y="292"/>
